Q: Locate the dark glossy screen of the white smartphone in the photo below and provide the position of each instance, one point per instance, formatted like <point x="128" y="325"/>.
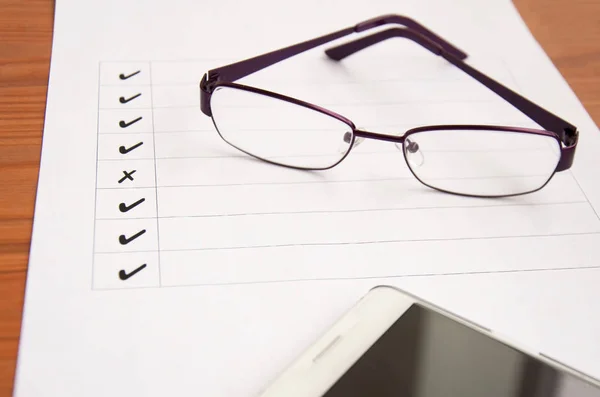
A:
<point x="425" y="354"/>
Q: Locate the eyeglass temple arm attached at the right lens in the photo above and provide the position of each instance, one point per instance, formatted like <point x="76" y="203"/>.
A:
<point x="566" y="131"/>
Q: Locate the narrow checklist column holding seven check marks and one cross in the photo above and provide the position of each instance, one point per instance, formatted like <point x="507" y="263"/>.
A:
<point x="126" y="205"/>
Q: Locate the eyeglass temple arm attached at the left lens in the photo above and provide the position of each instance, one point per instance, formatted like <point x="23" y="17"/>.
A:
<point x="246" y="67"/>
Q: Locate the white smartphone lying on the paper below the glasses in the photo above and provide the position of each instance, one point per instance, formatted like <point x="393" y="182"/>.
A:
<point x="392" y="343"/>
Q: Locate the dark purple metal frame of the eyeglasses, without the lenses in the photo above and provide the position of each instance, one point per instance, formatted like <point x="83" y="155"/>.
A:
<point x="565" y="133"/>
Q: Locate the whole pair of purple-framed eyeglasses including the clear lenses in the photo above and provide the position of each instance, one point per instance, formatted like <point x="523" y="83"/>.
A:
<point x="468" y="160"/>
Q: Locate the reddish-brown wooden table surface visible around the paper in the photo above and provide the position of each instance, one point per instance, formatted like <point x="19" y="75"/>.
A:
<point x="569" y="31"/>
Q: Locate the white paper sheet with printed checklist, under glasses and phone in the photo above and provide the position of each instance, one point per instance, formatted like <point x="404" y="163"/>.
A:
<point x="241" y="263"/>
